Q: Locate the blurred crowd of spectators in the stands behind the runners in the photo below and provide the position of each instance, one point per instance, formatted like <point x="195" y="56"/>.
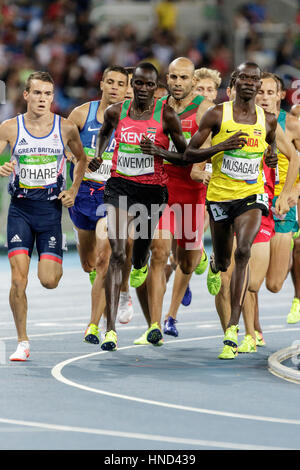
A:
<point x="60" y="37"/>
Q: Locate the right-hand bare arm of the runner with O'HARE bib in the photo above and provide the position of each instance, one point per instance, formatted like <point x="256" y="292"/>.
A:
<point x="71" y="138"/>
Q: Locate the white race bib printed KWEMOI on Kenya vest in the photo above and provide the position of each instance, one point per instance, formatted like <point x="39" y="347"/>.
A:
<point x="131" y="162"/>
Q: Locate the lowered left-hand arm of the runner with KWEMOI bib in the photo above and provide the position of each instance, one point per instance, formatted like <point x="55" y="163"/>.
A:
<point x="110" y="122"/>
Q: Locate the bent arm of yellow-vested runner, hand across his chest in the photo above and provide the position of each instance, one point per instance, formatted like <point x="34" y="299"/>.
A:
<point x="211" y="123"/>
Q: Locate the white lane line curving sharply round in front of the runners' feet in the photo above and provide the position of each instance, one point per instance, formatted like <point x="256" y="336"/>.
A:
<point x="57" y="374"/>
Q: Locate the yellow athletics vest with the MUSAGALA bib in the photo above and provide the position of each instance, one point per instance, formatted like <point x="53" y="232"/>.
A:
<point x="237" y="174"/>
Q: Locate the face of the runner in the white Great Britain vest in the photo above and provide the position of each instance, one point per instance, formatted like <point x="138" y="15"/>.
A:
<point x="39" y="97"/>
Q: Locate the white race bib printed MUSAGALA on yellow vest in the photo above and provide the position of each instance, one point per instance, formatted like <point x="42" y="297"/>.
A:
<point x="241" y="167"/>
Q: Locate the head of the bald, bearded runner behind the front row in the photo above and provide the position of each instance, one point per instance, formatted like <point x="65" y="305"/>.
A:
<point x="180" y="80"/>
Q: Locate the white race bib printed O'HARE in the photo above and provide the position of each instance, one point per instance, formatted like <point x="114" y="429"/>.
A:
<point x="37" y="171"/>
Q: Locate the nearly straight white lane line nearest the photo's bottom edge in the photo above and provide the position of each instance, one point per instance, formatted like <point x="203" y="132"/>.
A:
<point x="140" y="436"/>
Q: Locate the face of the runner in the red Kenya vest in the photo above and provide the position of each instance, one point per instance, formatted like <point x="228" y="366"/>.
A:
<point x="144" y="84"/>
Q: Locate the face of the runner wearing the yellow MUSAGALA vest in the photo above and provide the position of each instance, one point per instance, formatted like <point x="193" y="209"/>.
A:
<point x="248" y="82"/>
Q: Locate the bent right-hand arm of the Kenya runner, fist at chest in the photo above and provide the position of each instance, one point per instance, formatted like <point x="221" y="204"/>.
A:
<point x="171" y="127"/>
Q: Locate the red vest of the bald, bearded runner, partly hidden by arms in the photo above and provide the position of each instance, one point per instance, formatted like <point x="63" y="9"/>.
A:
<point x="189" y="128"/>
